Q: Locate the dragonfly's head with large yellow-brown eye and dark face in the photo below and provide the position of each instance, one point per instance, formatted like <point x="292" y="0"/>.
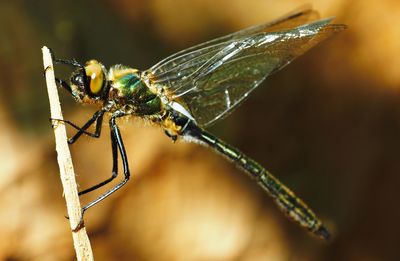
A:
<point x="89" y="85"/>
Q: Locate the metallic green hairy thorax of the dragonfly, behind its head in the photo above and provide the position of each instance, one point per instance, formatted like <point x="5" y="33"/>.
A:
<point x="131" y="94"/>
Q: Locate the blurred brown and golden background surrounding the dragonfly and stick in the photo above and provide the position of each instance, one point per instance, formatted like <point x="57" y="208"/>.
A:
<point x="328" y="126"/>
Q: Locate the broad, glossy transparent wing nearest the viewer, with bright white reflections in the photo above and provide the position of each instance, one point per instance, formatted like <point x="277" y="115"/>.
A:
<point x="216" y="86"/>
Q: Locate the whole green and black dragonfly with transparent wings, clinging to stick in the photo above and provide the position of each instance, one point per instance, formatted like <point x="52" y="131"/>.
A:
<point x="194" y="88"/>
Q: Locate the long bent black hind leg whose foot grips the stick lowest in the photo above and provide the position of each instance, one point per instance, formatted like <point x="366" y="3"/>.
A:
<point x="116" y="140"/>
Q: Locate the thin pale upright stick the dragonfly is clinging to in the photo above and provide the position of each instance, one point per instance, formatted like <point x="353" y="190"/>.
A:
<point x="81" y="240"/>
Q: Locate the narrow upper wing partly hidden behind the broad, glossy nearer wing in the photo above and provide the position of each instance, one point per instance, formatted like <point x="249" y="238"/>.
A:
<point x="181" y="64"/>
